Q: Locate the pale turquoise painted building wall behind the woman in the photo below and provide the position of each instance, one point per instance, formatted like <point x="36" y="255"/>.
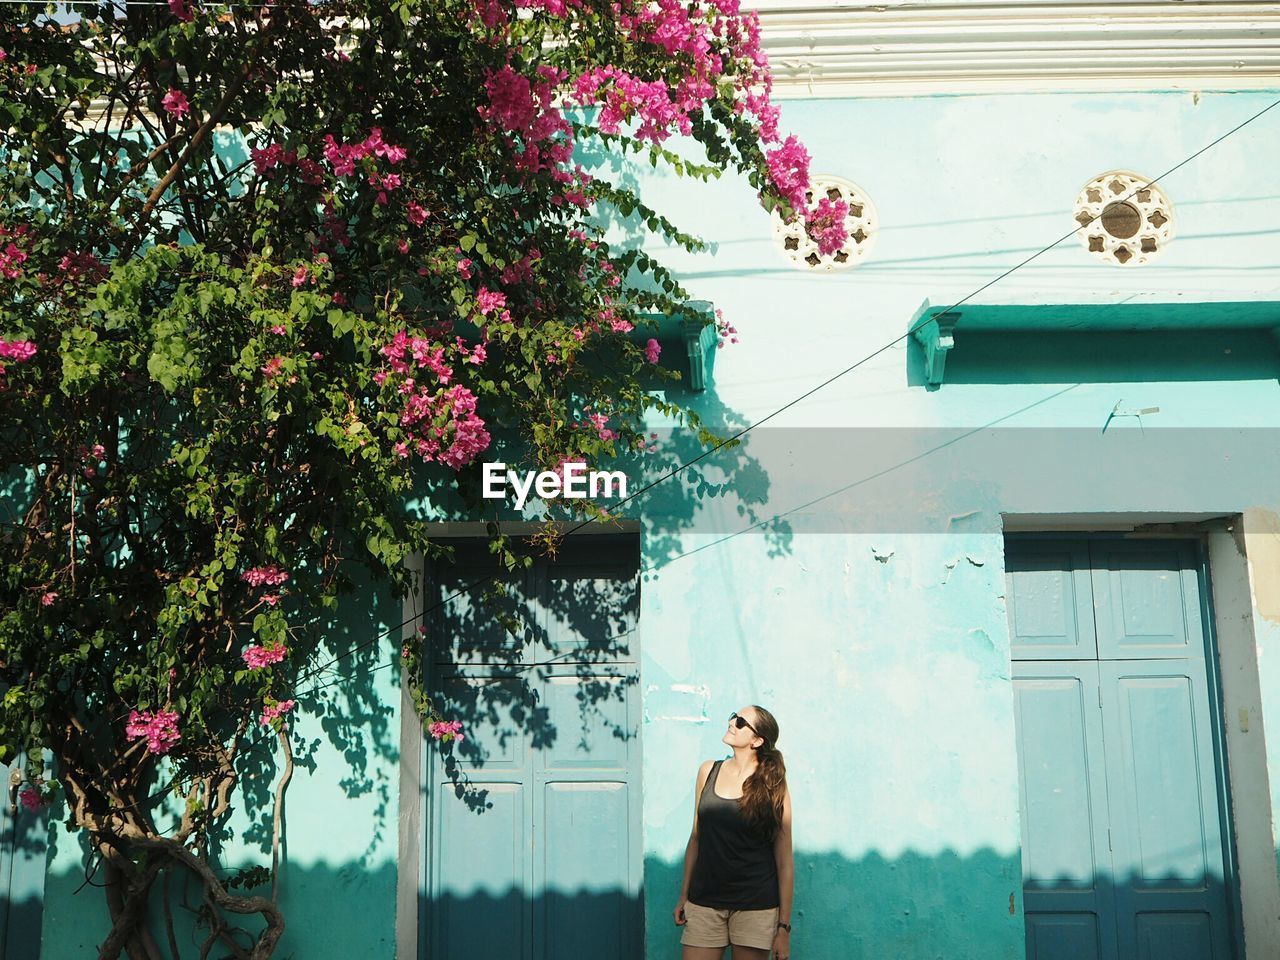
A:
<point x="870" y="618"/>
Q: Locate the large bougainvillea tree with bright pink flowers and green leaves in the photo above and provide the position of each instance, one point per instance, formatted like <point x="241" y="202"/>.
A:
<point x="268" y="273"/>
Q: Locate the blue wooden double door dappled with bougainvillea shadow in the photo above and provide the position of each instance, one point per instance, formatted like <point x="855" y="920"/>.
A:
<point x="534" y="849"/>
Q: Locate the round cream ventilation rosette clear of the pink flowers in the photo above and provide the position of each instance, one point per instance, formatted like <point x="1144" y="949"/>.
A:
<point x="1124" y="221"/>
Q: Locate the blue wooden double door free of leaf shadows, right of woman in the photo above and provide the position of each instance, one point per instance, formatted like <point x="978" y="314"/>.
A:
<point x="1124" y="826"/>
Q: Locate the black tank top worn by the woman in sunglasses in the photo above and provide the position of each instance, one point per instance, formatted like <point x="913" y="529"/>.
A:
<point x="735" y="867"/>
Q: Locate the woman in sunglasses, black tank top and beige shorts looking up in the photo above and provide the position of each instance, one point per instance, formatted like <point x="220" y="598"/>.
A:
<point x="739" y="874"/>
